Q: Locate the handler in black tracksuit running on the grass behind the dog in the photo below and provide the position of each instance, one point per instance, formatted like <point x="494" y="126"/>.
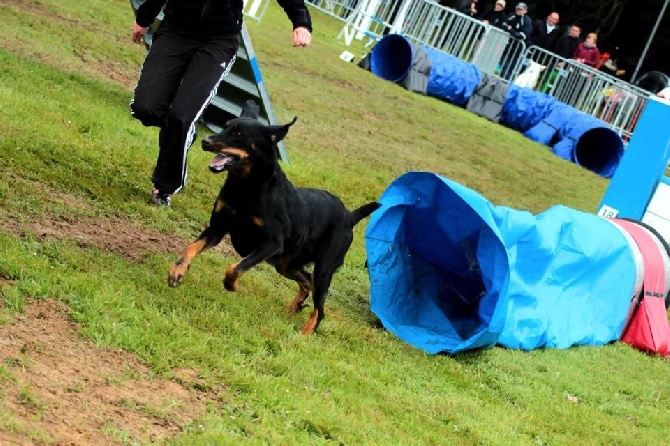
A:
<point x="192" y="50"/>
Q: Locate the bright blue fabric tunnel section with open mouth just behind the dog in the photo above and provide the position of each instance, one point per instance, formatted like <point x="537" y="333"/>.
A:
<point x="451" y="272"/>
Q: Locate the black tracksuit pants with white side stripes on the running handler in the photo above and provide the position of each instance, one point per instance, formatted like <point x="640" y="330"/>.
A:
<point x="179" y="77"/>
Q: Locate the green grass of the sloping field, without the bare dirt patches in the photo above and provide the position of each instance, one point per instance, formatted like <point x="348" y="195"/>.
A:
<point x="69" y="149"/>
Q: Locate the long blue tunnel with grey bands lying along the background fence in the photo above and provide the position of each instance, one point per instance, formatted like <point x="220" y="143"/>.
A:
<point x="573" y="135"/>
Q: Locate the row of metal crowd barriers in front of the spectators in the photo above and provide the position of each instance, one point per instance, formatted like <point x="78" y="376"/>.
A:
<point x="494" y="51"/>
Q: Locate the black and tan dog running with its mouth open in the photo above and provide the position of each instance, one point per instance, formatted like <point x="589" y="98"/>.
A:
<point x="271" y="220"/>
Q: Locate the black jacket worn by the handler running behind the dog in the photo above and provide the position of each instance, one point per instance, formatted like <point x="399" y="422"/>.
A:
<point x="213" y="17"/>
